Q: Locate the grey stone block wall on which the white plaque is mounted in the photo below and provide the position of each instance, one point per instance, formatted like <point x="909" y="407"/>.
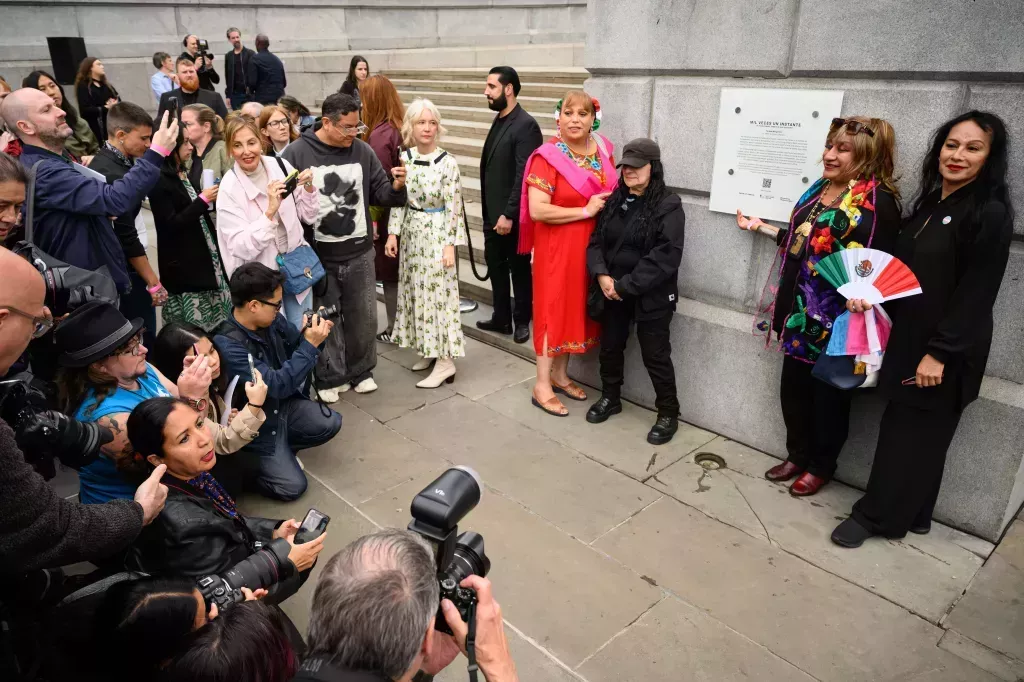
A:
<point x="659" y="68"/>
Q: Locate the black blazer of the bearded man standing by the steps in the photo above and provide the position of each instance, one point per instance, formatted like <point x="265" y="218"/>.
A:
<point x="502" y="165"/>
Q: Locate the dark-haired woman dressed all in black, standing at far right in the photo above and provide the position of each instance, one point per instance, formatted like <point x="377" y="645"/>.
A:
<point x="957" y="242"/>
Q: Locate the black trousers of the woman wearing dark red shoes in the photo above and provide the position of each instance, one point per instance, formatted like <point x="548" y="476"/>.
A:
<point x="818" y="419"/>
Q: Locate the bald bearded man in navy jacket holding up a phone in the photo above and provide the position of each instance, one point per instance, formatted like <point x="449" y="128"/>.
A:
<point x="73" y="211"/>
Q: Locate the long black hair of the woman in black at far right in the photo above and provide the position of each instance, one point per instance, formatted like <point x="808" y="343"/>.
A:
<point x="992" y="183"/>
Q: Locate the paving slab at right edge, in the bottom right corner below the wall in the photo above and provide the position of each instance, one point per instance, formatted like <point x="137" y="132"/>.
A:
<point x="992" y="612"/>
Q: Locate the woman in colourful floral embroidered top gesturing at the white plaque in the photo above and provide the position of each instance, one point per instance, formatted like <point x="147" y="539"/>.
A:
<point x="855" y="204"/>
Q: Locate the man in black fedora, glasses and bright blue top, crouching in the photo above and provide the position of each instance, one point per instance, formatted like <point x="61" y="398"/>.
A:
<point x="104" y="377"/>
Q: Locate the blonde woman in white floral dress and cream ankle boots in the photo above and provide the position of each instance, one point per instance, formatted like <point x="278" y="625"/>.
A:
<point x="432" y="226"/>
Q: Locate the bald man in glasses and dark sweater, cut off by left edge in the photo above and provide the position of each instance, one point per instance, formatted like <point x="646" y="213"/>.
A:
<point x="39" y="529"/>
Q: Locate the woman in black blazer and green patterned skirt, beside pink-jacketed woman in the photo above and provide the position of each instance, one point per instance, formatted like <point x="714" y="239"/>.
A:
<point x="187" y="245"/>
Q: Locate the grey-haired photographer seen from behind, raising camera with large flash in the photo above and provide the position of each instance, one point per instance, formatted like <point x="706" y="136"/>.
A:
<point x="400" y="606"/>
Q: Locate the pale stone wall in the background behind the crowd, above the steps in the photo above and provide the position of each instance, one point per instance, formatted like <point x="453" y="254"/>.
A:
<point x="315" y="38"/>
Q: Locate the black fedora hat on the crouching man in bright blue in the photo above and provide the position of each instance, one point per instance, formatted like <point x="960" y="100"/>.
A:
<point x="93" y="332"/>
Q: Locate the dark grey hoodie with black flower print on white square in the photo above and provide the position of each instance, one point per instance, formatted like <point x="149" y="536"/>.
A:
<point x="349" y="180"/>
